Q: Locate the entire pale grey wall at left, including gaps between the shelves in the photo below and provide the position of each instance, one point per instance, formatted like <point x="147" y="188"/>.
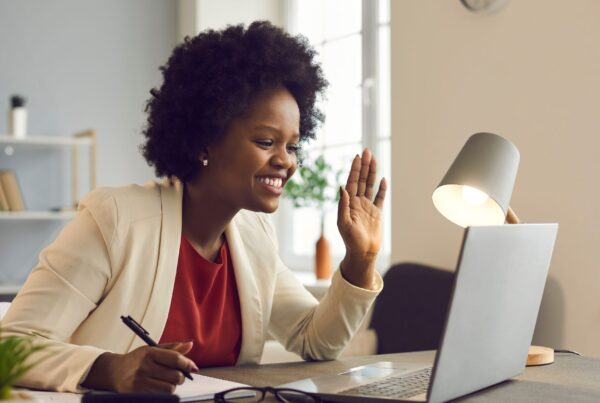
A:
<point x="81" y="64"/>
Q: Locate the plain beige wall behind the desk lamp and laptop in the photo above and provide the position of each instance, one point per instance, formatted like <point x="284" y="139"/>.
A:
<point x="530" y="72"/>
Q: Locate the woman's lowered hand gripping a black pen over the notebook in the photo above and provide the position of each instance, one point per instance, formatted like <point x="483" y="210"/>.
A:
<point x="145" y="369"/>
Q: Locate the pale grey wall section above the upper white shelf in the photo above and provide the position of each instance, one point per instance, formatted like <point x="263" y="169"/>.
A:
<point x="87" y="64"/>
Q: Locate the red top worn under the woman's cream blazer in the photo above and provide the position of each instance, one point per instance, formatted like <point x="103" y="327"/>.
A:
<point x="205" y="308"/>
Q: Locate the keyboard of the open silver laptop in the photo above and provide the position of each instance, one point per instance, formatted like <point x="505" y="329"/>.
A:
<point x="398" y="387"/>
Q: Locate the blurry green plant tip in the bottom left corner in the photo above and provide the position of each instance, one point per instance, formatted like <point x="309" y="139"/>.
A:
<point x="14" y="351"/>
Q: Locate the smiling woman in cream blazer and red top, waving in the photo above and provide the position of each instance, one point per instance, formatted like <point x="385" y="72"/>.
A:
<point x="193" y="258"/>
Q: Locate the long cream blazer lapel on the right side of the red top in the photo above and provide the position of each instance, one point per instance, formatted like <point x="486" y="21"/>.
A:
<point x="250" y="303"/>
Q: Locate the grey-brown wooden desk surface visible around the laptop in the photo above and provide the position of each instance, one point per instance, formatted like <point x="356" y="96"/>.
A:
<point x="570" y="378"/>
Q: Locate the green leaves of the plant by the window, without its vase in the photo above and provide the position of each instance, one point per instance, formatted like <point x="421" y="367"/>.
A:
<point x="314" y="185"/>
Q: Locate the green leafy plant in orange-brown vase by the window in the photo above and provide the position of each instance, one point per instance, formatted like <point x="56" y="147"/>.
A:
<point x="312" y="187"/>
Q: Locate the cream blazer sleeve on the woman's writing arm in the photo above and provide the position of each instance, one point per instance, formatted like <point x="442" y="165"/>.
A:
<point x="65" y="286"/>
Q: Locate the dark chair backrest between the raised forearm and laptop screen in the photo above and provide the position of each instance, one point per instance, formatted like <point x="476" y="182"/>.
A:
<point x="410" y="312"/>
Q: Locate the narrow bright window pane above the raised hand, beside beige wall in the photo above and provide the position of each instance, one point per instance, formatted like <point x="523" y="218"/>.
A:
<point x="384" y="112"/>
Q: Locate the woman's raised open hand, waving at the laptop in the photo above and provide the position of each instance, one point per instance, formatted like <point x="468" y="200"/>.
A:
<point x="359" y="220"/>
